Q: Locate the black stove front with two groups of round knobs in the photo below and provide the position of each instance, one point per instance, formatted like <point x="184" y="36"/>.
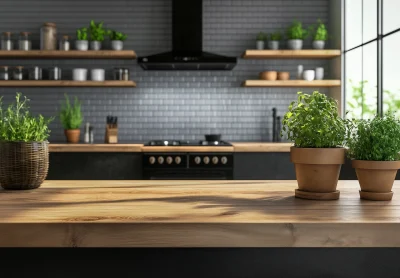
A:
<point x="188" y="166"/>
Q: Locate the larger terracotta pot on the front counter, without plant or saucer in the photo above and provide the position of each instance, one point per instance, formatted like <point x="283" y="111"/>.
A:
<point x="317" y="169"/>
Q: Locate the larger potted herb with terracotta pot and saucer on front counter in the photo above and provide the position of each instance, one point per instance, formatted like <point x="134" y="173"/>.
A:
<point x="314" y="125"/>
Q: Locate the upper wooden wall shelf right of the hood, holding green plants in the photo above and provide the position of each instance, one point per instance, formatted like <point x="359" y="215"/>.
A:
<point x="291" y="54"/>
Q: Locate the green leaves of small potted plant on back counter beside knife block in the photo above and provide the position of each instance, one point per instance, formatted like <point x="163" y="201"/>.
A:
<point x="71" y="115"/>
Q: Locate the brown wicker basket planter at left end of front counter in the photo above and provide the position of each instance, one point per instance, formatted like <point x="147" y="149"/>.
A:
<point x="23" y="165"/>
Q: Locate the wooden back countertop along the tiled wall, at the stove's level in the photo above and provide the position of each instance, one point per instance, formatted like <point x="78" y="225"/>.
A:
<point x="237" y="147"/>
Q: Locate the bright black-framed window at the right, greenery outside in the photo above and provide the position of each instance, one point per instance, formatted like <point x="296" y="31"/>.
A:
<point x="372" y="34"/>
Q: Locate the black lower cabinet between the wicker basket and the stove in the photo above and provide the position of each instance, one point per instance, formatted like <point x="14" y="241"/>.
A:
<point x="95" y="166"/>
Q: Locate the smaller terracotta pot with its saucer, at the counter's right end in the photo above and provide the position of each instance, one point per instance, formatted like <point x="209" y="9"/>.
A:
<point x="376" y="178"/>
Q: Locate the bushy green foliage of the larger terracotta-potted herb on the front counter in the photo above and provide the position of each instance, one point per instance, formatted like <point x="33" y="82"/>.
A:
<point x="313" y="122"/>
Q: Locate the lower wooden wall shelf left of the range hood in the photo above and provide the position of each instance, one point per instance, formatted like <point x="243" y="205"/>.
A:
<point x="65" y="83"/>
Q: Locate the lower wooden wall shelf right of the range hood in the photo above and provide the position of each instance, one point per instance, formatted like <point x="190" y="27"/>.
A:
<point x="291" y="83"/>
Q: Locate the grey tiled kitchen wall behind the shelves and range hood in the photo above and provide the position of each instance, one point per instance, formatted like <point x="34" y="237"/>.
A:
<point x="168" y="104"/>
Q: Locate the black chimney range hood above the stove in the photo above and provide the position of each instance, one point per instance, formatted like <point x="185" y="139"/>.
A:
<point x="187" y="41"/>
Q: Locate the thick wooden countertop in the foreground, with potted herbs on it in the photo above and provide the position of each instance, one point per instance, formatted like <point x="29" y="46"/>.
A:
<point x="194" y="214"/>
